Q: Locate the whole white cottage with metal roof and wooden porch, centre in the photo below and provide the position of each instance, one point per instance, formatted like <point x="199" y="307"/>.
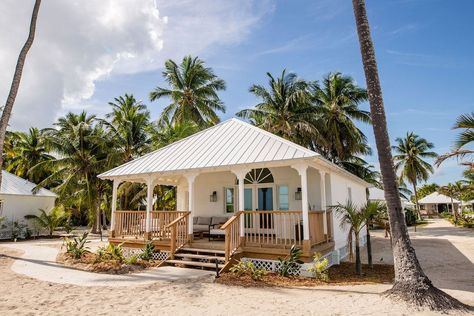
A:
<point x="240" y="190"/>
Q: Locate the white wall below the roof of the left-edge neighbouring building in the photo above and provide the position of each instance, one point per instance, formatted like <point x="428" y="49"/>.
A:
<point x="15" y="207"/>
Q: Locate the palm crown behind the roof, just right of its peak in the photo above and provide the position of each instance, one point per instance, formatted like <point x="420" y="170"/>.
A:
<point x="285" y="108"/>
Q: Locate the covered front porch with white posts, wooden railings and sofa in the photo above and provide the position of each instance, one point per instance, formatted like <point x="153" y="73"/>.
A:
<point x="259" y="210"/>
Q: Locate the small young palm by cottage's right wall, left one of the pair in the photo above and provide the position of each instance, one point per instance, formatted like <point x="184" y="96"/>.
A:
<point x="350" y="215"/>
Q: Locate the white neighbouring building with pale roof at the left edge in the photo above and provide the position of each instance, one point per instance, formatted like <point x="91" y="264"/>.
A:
<point x="17" y="200"/>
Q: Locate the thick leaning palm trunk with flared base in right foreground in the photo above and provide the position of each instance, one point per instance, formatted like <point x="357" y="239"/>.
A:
<point x="411" y="284"/>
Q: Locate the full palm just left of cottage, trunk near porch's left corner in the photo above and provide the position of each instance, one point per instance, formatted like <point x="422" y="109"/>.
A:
<point x="81" y="147"/>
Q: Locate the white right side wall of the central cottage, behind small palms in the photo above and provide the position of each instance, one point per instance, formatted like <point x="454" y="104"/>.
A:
<point x="340" y="194"/>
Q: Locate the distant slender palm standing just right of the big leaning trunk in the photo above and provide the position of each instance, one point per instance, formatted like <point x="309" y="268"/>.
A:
<point x="410" y="152"/>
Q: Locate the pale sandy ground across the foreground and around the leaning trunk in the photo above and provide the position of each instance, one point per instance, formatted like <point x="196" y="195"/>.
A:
<point x="446" y="254"/>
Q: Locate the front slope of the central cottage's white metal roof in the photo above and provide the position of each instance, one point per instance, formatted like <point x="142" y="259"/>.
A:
<point x="231" y="142"/>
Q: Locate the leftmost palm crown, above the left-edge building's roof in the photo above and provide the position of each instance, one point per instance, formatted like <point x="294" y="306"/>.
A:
<point x="29" y="150"/>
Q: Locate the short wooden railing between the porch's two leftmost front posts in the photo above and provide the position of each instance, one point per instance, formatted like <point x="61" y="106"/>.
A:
<point x="130" y="224"/>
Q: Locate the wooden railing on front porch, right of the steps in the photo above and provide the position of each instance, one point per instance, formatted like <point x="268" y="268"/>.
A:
<point x="283" y="228"/>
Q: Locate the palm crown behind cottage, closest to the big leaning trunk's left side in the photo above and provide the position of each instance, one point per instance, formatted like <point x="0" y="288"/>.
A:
<point x="337" y="105"/>
